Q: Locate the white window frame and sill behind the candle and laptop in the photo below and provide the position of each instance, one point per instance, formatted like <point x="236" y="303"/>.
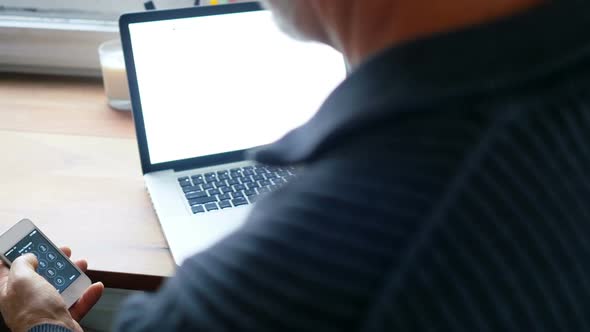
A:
<point x="62" y="36"/>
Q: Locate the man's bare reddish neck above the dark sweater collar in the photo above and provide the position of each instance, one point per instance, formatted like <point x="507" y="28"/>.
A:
<point x="370" y="26"/>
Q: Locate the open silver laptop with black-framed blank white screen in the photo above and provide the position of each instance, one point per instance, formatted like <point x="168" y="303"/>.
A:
<point x="206" y="85"/>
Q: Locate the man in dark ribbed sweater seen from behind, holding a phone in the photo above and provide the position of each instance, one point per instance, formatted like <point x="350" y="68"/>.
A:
<point x="445" y="186"/>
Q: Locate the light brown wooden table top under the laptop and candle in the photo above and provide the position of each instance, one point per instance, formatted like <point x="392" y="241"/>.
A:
<point x="70" y="164"/>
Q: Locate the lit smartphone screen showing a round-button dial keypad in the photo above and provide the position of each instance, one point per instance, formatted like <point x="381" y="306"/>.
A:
<point x="53" y="266"/>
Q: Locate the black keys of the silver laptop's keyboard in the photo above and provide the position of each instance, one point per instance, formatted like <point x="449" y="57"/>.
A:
<point x="233" y="187"/>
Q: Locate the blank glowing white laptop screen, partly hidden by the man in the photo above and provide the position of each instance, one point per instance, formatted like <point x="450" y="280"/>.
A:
<point x="222" y="83"/>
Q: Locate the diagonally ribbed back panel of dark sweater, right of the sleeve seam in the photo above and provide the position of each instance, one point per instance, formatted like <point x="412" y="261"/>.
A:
<point x="507" y="249"/>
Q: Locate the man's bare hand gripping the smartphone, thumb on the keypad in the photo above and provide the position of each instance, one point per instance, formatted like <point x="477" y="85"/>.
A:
<point x="27" y="300"/>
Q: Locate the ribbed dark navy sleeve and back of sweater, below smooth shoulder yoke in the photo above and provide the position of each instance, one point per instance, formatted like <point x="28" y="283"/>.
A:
<point x="472" y="223"/>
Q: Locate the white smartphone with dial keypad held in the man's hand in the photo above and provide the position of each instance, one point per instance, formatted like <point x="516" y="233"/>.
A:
<point x="54" y="265"/>
